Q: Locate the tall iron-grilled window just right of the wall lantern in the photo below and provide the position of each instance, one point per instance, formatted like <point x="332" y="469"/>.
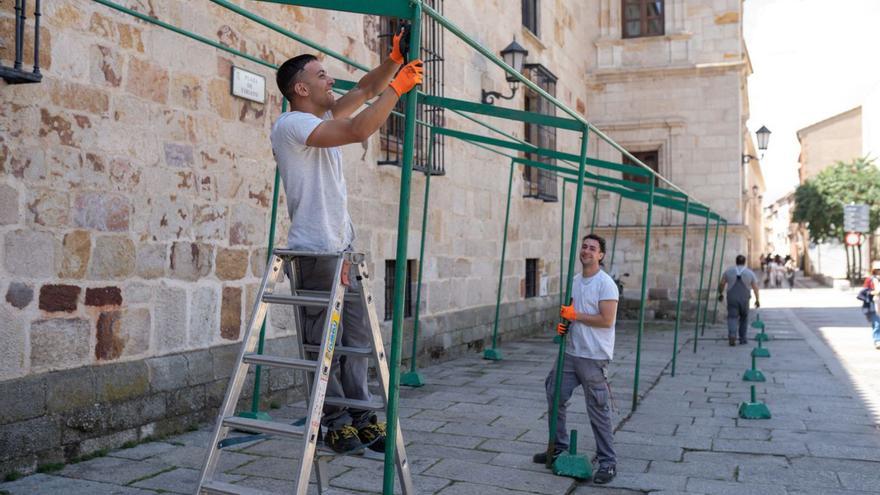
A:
<point x="540" y="183"/>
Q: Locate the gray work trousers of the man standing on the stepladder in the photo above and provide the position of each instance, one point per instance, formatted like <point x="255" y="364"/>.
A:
<point x="348" y="374"/>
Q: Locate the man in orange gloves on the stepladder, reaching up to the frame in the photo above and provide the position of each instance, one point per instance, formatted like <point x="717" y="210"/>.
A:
<point x="305" y="142"/>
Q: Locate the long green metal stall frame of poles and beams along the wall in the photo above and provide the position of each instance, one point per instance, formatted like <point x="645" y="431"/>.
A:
<point x="413" y="10"/>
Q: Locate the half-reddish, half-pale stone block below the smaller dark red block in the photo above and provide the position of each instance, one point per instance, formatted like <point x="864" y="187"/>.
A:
<point x="122" y="333"/>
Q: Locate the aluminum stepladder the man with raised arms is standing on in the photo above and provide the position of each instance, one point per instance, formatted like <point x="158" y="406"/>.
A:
<point x="284" y="260"/>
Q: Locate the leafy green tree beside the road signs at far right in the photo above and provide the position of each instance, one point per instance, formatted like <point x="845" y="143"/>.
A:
<point x="819" y="201"/>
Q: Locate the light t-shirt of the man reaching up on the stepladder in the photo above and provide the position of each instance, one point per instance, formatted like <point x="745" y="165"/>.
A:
<point x="317" y="200"/>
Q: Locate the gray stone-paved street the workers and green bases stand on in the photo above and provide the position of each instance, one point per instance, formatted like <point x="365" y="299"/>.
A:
<point x="475" y="426"/>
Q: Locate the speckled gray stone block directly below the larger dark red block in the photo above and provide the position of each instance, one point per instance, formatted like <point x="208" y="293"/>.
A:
<point x="59" y="343"/>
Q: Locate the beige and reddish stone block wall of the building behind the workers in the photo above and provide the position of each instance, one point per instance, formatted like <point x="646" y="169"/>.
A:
<point x="135" y="193"/>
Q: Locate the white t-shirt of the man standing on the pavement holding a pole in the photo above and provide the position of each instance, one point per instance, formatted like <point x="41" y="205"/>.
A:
<point x="586" y="341"/>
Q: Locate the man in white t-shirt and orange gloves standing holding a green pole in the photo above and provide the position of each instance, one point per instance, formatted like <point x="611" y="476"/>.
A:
<point x="591" y="316"/>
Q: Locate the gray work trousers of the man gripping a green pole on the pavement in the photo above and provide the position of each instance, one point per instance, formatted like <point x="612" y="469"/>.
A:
<point x="591" y="374"/>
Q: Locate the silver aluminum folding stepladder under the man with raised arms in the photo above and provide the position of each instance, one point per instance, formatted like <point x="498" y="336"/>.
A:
<point x="334" y="366"/>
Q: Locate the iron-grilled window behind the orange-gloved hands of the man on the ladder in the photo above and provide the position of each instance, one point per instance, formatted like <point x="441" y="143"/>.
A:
<point x="427" y="155"/>
